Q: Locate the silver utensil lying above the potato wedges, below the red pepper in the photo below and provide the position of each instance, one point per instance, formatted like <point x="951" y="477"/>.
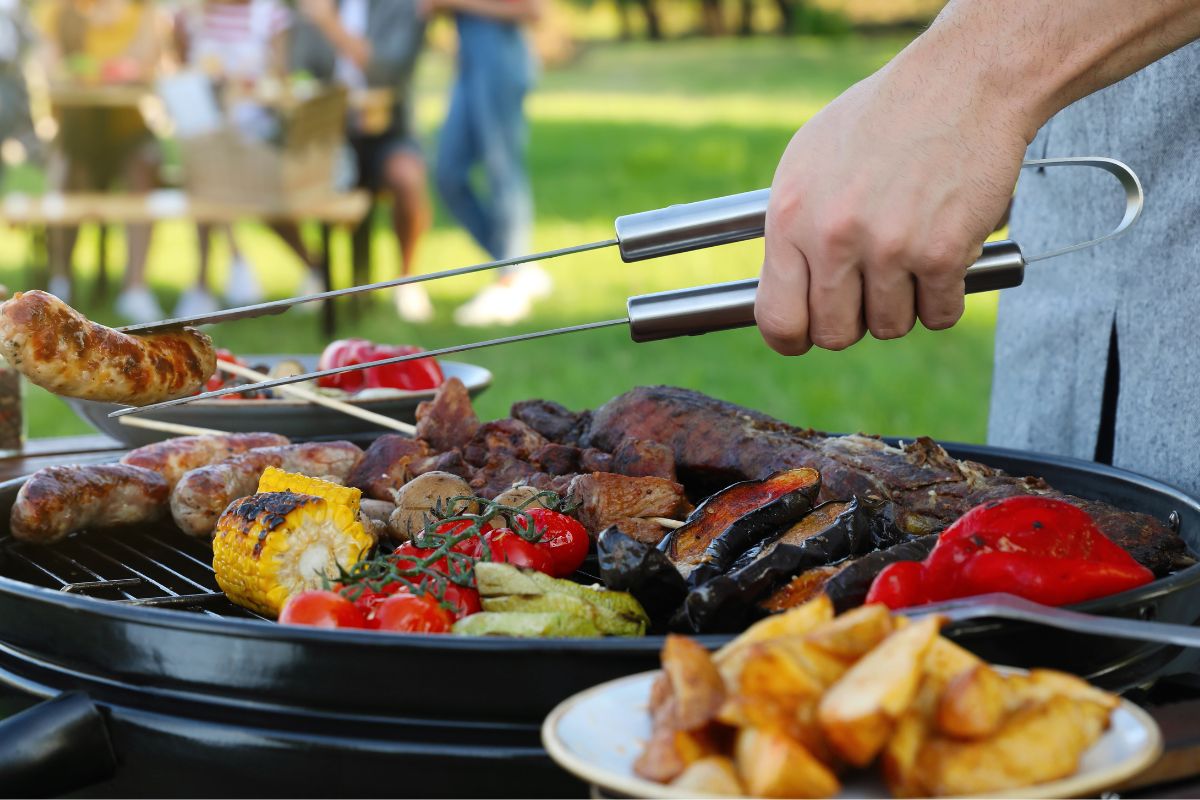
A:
<point x="1001" y="606"/>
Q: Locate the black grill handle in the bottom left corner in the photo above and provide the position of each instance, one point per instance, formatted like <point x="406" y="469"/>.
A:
<point x="61" y="745"/>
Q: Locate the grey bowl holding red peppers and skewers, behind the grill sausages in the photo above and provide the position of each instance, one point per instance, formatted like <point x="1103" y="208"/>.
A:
<point x="286" y="417"/>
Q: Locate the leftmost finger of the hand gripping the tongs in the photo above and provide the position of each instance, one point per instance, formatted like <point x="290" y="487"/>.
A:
<point x="782" y="304"/>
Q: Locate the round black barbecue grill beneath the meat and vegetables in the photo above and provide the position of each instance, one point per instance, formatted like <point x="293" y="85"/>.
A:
<point x="199" y="696"/>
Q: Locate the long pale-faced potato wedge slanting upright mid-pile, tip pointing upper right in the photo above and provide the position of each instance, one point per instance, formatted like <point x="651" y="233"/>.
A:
<point x="860" y="712"/>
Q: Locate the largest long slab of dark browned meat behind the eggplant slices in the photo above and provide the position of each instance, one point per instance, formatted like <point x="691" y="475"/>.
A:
<point x="716" y="443"/>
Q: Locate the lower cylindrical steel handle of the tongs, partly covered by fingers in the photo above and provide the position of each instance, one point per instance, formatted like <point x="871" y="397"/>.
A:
<point x="724" y="306"/>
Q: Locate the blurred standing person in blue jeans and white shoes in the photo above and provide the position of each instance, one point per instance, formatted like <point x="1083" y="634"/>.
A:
<point x="487" y="128"/>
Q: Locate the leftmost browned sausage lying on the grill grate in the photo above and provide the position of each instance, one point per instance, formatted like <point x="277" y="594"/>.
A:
<point x="59" y="501"/>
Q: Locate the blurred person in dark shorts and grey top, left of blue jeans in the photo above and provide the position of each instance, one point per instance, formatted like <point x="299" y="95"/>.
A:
<point x="375" y="44"/>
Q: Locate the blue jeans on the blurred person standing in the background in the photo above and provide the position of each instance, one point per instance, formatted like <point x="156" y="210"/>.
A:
<point x="487" y="127"/>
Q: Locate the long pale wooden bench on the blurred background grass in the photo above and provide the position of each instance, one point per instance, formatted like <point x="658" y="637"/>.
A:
<point x="344" y="210"/>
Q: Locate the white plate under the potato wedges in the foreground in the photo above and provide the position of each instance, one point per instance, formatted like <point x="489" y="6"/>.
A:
<point x="599" y="733"/>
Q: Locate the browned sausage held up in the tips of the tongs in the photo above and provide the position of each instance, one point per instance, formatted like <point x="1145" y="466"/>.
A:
<point x="63" y="352"/>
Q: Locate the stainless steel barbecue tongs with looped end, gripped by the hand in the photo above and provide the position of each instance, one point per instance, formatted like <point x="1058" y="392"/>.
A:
<point x="680" y="312"/>
